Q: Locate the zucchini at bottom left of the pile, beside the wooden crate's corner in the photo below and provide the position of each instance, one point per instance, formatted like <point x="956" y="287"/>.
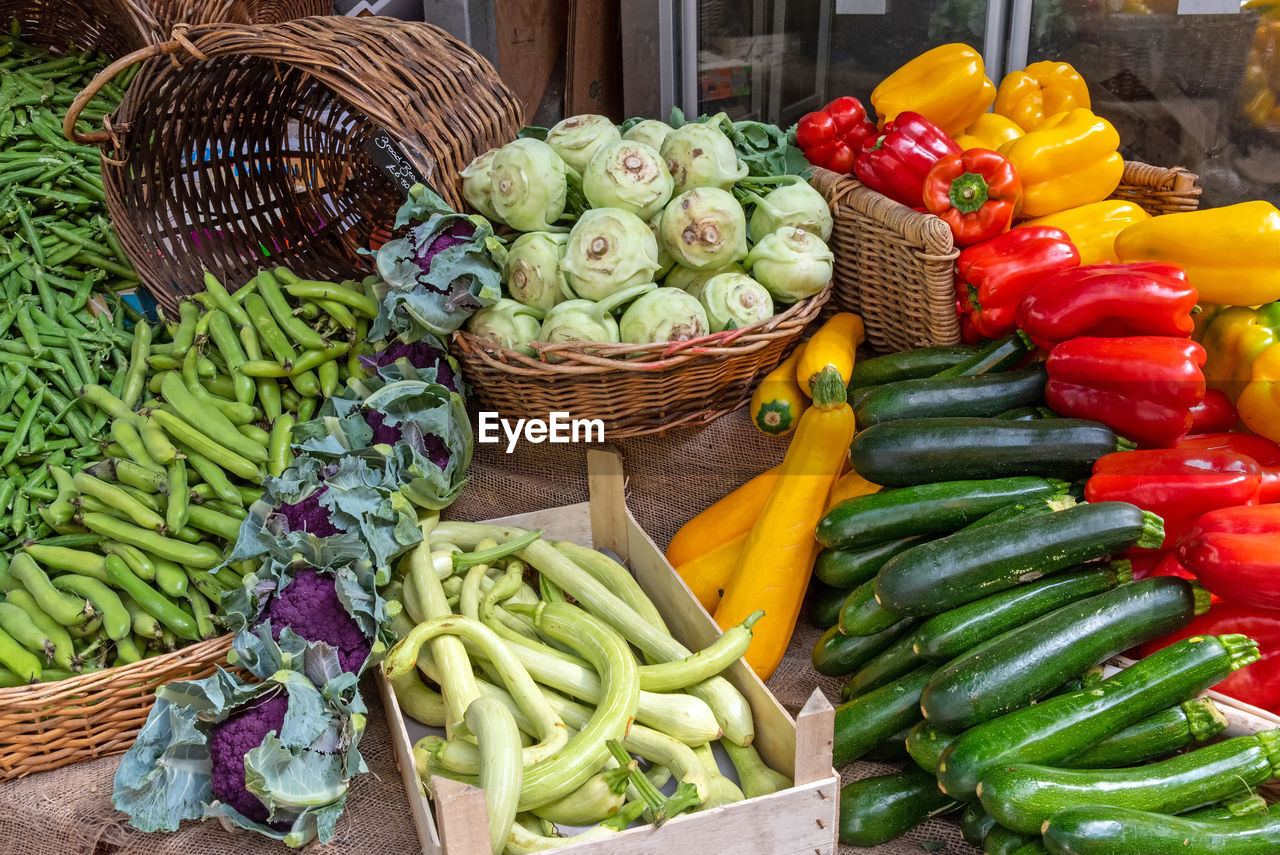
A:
<point x="880" y="810"/>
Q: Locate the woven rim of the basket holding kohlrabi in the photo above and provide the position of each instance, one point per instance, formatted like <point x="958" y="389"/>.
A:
<point x="605" y="358"/>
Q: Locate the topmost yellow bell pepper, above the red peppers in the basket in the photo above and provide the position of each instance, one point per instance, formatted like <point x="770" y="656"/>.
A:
<point x="949" y="86"/>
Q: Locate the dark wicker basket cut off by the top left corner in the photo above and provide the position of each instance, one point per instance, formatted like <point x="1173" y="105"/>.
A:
<point x="115" y="28"/>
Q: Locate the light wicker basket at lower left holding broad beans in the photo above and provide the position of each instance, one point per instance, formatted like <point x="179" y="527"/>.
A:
<point x="49" y="725"/>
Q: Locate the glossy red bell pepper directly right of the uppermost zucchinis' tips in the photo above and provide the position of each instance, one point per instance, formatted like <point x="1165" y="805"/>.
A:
<point x="1144" y="387"/>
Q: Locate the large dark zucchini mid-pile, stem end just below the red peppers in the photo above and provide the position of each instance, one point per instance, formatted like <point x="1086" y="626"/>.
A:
<point x="966" y="566"/>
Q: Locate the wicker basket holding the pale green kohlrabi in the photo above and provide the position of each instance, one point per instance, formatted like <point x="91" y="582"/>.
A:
<point x="634" y="388"/>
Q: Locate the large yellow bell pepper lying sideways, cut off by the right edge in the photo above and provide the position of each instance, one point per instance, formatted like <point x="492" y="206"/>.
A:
<point x="1232" y="255"/>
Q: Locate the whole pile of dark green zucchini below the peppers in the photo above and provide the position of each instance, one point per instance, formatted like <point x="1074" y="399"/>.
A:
<point x="971" y="606"/>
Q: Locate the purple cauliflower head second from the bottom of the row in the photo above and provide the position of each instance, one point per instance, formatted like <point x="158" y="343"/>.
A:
<point x="312" y="609"/>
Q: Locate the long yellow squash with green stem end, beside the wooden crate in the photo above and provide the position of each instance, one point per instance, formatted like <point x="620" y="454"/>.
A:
<point x="774" y="570"/>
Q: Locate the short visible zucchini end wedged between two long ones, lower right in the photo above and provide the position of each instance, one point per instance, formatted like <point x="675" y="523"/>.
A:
<point x="1168" y="731"/>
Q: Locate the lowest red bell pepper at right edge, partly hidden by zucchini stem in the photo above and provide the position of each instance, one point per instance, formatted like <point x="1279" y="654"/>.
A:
<point x="1258" y="684"/>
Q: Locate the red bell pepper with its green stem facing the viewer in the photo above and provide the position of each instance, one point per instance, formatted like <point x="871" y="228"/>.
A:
<point x="976" y="193"/>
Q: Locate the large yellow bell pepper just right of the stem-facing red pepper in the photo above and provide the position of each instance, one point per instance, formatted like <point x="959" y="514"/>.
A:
<point x="1068" y="162"/>
